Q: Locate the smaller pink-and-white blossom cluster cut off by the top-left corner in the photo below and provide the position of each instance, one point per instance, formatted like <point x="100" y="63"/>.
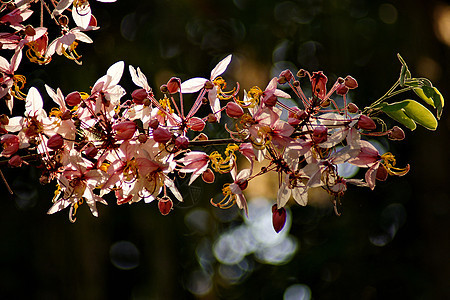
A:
<point x="21" y="37"/>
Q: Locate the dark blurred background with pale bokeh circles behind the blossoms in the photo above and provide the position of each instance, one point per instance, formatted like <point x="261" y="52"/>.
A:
<point x="393" y="242"/>
